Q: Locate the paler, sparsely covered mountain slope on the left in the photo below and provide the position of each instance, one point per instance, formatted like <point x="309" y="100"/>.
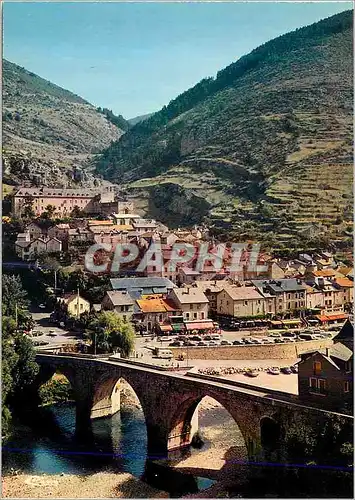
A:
<point x="50" y="127"/>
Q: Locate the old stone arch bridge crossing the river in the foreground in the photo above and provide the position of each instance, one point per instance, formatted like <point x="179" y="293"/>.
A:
<point x="169" y="401"/>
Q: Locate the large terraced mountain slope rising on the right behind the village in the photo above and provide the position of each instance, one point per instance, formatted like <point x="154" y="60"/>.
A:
<point x="263" y="149"/>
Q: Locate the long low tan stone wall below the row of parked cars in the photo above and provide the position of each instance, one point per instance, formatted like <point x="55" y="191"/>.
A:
<point x="273" y="351"/>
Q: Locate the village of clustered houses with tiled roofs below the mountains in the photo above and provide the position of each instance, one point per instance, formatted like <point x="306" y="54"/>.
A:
<point x="310" y="289"/>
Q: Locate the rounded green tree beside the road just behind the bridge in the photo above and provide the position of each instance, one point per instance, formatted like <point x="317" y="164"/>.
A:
<point x="109" y="331"/>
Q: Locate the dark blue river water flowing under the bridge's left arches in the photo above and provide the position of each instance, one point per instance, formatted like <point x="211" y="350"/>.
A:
<point x="43" y="442"/>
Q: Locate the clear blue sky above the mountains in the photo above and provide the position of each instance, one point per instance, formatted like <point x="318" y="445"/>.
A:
<point x="136" y="57"/>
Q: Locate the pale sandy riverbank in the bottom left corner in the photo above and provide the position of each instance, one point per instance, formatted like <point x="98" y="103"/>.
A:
<point x="99" y="485"/>
